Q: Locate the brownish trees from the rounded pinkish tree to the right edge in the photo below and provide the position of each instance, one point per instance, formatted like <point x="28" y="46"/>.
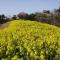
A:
<point x="46" y="16"/>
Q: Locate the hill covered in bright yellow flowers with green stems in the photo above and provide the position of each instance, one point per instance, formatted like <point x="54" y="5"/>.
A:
<point x="29" y="40"/>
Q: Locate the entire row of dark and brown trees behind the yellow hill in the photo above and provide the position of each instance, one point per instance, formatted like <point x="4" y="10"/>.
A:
<point x="45" y="17"/>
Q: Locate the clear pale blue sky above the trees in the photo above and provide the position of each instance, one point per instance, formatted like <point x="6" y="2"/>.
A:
<point x="11" y="7"/>
